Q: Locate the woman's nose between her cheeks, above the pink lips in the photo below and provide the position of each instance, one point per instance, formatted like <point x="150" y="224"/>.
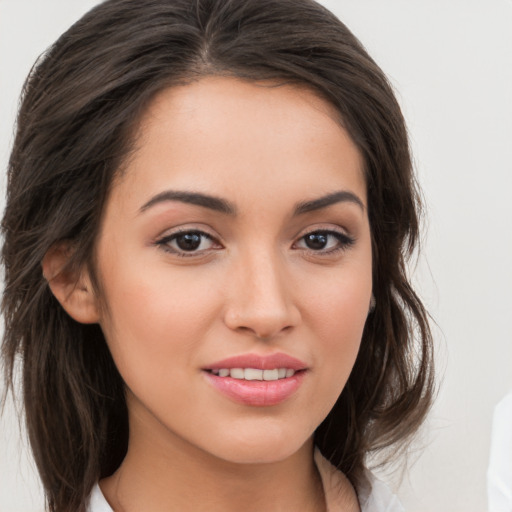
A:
<point x="260" y="298"/>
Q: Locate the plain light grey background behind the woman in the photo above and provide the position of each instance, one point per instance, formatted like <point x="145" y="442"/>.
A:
<point x="451" y="63"/>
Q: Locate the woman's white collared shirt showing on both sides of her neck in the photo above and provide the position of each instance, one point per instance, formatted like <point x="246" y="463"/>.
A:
<point x="374" y="496"/>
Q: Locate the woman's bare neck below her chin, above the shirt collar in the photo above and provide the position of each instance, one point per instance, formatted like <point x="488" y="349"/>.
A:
<point x="160" y="475"/>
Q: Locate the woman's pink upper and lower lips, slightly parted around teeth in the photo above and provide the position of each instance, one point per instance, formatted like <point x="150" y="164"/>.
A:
<point x="257" y="393"/>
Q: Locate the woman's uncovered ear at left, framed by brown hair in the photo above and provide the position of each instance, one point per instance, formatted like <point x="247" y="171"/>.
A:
<point x="71" y="288"/>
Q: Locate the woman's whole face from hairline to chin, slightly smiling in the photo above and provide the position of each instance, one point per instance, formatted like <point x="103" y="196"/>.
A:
<point x="236" y="246"/>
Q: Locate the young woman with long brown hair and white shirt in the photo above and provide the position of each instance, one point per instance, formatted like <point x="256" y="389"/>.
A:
<point x="210" y="207"/>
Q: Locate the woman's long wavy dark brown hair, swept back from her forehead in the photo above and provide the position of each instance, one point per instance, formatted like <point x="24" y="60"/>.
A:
<point x="80" y="108"/>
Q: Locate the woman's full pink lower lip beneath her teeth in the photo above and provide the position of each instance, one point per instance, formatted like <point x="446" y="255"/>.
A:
<point x="260" y="393"/>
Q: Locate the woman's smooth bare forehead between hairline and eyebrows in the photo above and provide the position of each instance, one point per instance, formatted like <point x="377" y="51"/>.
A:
<point x="229" y="134"/>
